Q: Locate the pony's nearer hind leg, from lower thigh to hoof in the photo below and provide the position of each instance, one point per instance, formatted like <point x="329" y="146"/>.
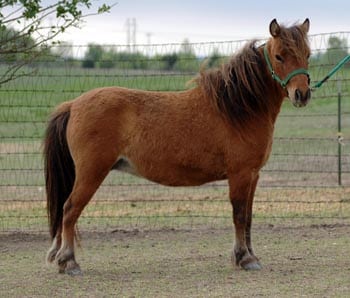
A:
<point x="88" y="178"/>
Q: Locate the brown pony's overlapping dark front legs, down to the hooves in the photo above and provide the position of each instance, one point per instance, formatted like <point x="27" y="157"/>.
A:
<point x="241" y="189"/>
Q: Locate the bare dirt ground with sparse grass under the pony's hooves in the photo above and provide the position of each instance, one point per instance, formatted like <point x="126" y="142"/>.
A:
<point x="310" y="261"/>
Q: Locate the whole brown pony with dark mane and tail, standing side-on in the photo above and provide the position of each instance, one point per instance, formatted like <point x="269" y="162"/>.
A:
<point x="220" y="129"/>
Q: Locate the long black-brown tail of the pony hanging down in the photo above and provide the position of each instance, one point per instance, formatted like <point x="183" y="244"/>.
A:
<point x="59" y="167"/>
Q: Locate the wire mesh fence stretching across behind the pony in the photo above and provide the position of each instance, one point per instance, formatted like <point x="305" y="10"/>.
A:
<point x="307" y="177"/>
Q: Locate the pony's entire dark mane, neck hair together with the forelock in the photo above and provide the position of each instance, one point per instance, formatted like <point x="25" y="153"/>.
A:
<point x="239" y="89"/>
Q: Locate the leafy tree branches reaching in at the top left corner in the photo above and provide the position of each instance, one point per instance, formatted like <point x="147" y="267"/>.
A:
<point x="26" y="44"/>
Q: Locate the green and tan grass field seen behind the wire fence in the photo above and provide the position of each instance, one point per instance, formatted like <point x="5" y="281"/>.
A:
<point x="304" y="153"/>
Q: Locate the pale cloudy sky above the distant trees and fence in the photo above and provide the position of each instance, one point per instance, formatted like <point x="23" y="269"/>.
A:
<point x="161" y="21"/>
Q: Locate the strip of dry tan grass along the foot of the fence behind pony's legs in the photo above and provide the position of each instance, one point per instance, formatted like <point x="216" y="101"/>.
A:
<point x="183" y="208"/>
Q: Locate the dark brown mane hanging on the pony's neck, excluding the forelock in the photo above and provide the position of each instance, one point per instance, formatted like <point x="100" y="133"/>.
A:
<point x="238" y="88"/>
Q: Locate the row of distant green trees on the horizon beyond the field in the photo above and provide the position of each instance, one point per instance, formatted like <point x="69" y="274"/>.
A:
<point x="108" y="57"/>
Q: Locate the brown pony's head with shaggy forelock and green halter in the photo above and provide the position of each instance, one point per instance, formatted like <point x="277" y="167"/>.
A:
<point x="286" y="54"/>
